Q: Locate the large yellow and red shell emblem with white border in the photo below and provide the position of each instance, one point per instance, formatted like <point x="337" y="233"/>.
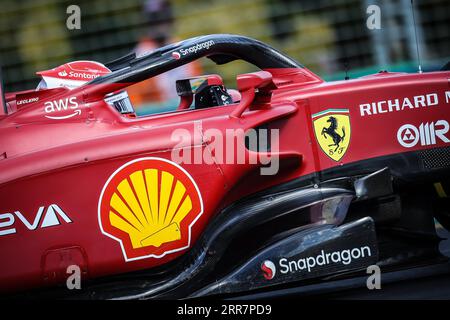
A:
<point x="149" y="206"/>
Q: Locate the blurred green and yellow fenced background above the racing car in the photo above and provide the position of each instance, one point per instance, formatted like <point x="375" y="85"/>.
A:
<point x="326" y="36"/>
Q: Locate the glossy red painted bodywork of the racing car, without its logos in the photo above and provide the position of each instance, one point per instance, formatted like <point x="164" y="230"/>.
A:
<point x="67" y="162"/>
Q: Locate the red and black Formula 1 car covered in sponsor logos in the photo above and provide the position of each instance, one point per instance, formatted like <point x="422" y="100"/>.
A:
<point x="287" y="180"/>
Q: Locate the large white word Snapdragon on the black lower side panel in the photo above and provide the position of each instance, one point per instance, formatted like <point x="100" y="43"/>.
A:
<point x="345" y="257"/>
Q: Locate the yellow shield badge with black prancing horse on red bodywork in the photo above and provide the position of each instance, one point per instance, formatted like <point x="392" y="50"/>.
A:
<point x="332" y="130"/>
